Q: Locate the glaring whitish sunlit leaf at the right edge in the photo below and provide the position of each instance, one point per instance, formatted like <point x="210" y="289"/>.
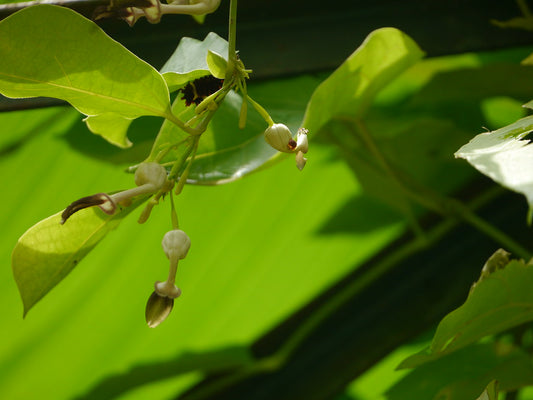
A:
<point x="505" y="156"/>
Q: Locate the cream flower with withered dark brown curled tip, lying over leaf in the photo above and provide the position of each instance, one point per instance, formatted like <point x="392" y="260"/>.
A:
<point x="149" y="178"/>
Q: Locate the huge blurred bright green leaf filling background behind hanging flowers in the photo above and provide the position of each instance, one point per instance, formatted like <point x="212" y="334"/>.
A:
<point x="254" y="259"/>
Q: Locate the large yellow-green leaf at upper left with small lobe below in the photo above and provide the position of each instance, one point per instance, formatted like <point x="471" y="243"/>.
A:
<point x="55" y="52"/>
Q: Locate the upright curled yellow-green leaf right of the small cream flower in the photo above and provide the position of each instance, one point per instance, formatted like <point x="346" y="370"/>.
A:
<point x="351" y="89"/>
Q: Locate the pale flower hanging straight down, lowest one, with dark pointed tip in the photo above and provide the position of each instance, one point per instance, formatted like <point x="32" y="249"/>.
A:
<point x="176" y="245"/>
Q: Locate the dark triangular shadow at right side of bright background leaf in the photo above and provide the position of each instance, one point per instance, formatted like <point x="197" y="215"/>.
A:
<point x="360" y="214"/>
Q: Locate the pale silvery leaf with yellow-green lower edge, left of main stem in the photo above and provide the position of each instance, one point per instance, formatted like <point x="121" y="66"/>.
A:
<point x="190" y="60"/>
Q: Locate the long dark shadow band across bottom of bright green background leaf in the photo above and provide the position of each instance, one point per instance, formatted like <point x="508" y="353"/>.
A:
<point x="214" y="361"/>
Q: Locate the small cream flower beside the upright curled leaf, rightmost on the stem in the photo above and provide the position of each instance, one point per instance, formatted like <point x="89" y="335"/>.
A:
<point x="280" y="138"/>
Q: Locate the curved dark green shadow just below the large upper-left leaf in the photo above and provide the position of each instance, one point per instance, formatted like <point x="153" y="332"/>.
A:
<point x="141" y="132"/>
